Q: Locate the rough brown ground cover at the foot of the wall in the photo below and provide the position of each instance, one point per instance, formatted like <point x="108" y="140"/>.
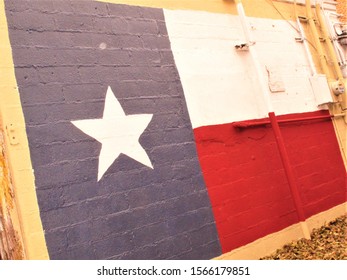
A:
<point x="327" y="243"/>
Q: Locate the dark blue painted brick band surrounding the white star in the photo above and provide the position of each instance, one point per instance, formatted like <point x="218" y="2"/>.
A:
<point x="66" y="54"/>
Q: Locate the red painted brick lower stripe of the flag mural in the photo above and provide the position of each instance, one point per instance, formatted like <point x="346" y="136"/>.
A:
<point x="247" y="184"/>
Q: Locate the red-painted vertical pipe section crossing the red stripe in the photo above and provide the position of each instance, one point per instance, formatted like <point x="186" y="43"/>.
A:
<point x="287" y="167"/>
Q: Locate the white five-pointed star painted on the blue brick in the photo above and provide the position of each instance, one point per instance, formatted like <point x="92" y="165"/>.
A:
<point x="117" y="133"/>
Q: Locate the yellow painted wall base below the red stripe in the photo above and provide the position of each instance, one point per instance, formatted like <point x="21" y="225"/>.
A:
<point x="269" y="244"/>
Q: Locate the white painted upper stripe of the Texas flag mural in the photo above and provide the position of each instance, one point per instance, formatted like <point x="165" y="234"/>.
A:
<point x="219" y="82"/>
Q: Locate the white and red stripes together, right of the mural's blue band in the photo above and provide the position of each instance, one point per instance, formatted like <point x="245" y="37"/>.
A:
<point x="243" y="170"/>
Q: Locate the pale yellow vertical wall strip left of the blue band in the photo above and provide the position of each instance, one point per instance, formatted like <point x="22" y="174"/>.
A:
<point x="16" y="145"/>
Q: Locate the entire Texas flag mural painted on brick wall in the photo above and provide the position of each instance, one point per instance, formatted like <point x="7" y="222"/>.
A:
<point x="129" y="114"/>
